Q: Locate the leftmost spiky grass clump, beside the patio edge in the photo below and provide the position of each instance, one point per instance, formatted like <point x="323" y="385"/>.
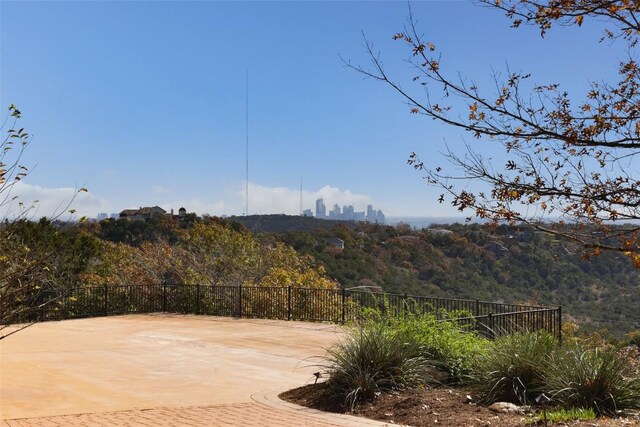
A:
<point x="373" y="359"/>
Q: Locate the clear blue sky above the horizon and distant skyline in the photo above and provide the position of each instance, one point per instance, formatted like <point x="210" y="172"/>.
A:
<point x="143" y="102"/>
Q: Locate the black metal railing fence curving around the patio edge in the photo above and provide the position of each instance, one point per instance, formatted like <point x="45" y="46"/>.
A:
<point x="289" y="303"/>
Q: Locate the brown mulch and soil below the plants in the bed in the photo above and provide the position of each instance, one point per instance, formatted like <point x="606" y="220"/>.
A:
<point x="442" y="407"/>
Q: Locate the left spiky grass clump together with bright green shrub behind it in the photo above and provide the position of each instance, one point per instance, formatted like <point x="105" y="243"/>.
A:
<point x="388" y="351"/>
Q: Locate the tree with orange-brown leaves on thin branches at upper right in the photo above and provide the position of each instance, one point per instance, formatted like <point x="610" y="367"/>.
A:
<point x="565" y="156"/>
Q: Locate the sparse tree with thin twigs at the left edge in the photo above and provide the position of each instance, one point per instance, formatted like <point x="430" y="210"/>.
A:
<point x="26" y="250"/>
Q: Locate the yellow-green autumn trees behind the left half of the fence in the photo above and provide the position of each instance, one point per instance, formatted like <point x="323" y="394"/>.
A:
<point x="206" y="253"/>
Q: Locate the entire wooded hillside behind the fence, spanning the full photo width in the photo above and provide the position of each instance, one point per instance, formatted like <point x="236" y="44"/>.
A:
<point x="504" y="264"/>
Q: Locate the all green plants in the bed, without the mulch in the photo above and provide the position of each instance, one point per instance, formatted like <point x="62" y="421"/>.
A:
<point x="513" y="368"/>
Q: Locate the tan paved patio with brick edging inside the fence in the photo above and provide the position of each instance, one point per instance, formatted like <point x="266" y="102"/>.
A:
<point x="161" y="370"/>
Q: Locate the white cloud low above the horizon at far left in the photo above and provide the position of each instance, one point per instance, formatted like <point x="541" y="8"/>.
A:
<point x="49" y="202"/>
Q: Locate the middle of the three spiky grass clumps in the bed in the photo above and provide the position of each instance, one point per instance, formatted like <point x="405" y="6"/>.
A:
<point x="511" y="367"/>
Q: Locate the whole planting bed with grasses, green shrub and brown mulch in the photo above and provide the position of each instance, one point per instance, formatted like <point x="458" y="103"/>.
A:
<point x="419" y="370"/>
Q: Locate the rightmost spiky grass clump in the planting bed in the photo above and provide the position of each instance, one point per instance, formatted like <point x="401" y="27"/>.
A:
<point x="591" y="378"/>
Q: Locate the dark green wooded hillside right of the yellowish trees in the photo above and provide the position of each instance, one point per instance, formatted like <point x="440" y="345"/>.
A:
<point x="507" y="263"/>
